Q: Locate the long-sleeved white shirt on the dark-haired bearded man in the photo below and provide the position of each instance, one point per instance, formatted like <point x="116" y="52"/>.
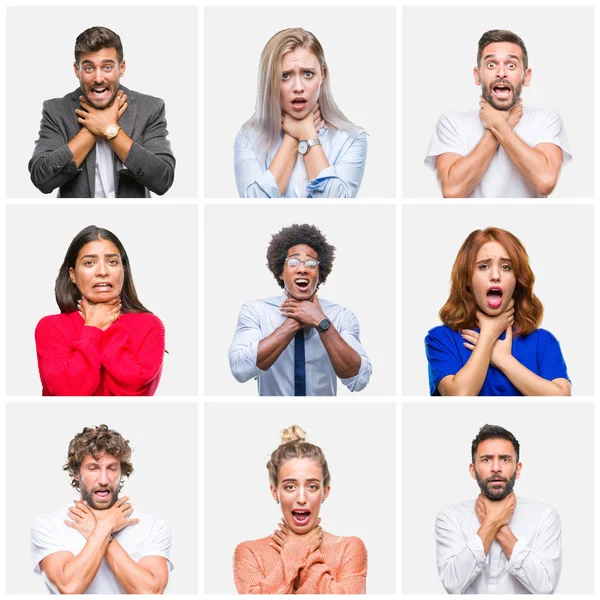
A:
<point x="534" y="565"/>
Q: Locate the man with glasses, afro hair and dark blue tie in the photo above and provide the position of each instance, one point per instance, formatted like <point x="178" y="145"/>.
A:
<point x="296" y="344"/>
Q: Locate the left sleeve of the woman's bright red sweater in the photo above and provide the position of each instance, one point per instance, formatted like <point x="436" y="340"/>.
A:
<point x="68" y="367"/>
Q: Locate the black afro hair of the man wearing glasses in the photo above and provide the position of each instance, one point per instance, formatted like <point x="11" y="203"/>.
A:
<point x="292" y="236"/>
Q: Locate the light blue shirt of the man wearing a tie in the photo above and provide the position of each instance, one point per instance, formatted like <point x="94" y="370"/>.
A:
<point x="259" y="318"/>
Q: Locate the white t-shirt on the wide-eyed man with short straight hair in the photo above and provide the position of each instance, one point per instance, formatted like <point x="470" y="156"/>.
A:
<point x="460" y="132"/>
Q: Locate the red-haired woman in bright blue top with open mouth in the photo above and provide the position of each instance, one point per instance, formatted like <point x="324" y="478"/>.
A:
<point x="490" y="343"/>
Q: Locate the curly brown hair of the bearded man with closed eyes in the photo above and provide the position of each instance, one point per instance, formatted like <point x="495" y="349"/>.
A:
<point x="96" y="441"/>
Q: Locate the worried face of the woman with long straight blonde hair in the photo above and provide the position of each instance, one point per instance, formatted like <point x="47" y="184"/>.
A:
<point x="301" y="78"/>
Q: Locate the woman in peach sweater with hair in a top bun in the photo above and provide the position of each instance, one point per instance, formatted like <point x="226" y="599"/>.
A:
<point x="300" y="557"/>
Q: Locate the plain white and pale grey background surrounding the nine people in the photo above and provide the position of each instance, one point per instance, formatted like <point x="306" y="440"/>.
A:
<point x="397" y="456"/>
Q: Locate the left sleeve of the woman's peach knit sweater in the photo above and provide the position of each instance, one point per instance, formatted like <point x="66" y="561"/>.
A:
<point x="251" y="578"/>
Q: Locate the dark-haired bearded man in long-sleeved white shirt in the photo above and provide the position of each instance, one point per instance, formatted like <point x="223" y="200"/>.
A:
<point x="496" y="544"/>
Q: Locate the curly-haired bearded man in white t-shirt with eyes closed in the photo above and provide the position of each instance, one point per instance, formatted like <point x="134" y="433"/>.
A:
<point x="100" y="545"/>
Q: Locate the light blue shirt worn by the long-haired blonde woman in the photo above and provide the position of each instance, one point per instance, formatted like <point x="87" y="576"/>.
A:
<point x="345" y="153"/>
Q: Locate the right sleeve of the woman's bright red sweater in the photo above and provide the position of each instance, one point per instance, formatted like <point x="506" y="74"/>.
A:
<point x="132" y="355"/>
